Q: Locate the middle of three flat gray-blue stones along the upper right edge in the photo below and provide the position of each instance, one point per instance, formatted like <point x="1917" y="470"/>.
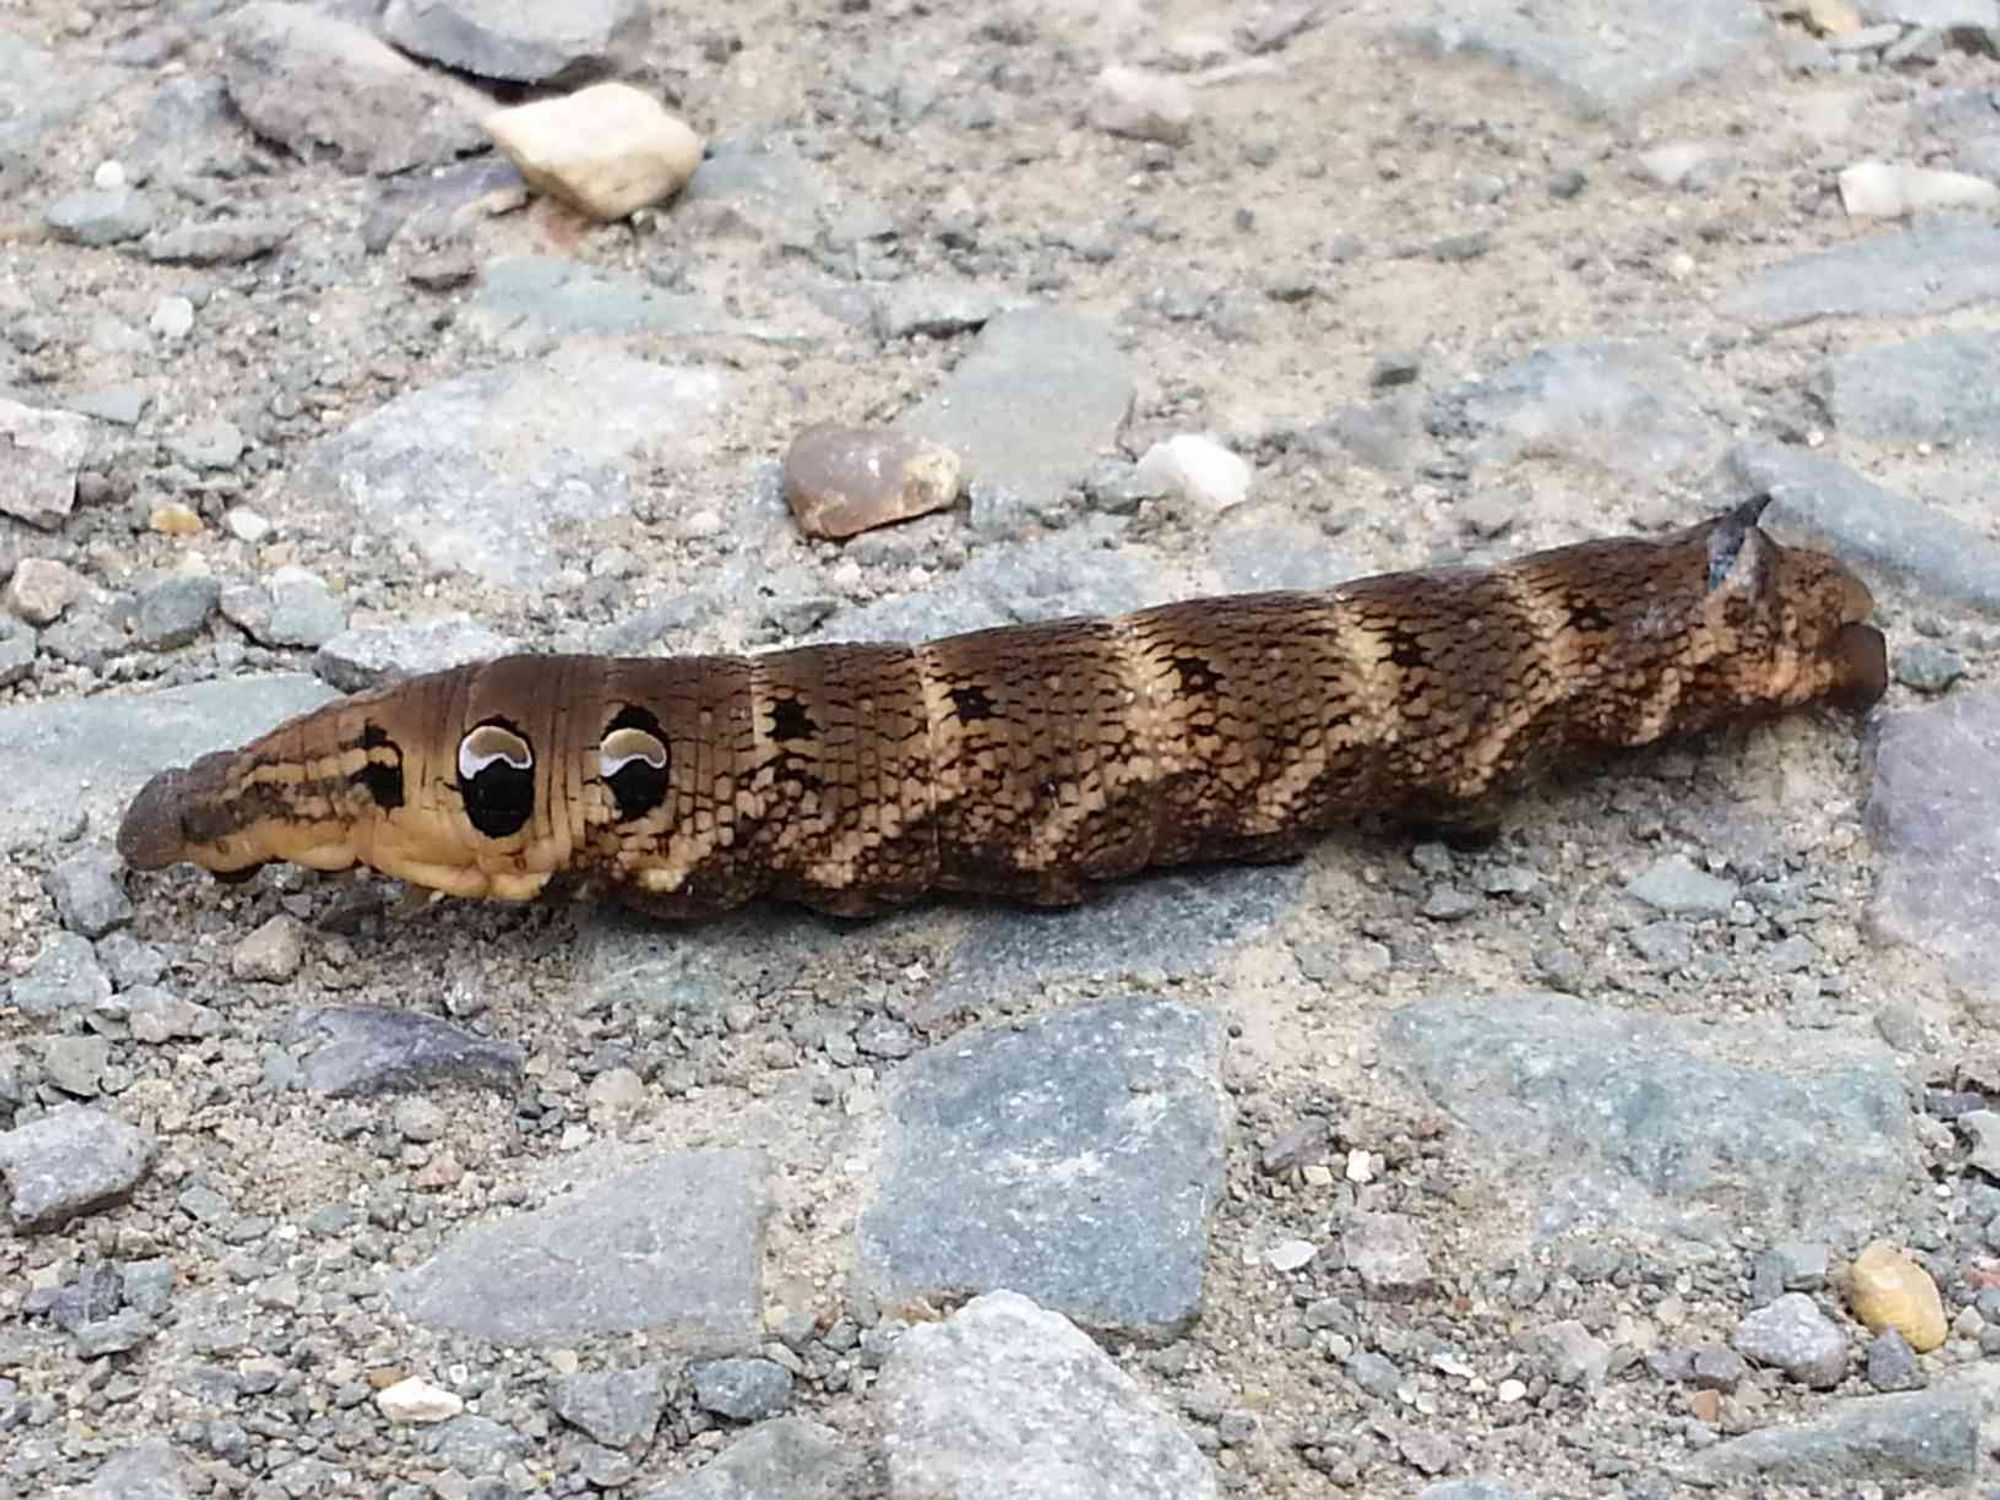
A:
<point x="1941" y="389"/>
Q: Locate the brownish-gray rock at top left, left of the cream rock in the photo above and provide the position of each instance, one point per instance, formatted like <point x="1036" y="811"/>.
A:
<point x="321" y="87"/>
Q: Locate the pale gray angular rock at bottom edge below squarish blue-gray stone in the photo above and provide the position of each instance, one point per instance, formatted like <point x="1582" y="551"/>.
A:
<point x="1005" y="1401"/>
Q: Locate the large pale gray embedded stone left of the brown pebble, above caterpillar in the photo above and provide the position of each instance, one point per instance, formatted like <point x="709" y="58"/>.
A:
<point x="479" y="469"/>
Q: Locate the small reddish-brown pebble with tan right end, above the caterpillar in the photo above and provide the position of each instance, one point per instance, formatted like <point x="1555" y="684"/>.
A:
<point x="843" y="481"/>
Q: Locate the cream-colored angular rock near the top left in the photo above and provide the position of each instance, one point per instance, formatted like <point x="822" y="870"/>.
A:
<point x="605" y="151"/>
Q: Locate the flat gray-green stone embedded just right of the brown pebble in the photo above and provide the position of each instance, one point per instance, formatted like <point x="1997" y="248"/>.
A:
<point x="1039" y="397"/>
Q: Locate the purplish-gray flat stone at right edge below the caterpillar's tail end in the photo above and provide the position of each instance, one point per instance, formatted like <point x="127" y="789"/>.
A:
<point x="1935" y="811"/>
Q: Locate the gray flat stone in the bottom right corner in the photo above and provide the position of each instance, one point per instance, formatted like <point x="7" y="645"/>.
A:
<point x="1927" y="1437"/>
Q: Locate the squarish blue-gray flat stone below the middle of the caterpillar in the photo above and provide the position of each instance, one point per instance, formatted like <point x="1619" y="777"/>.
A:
<point x="1073" y="1159"/>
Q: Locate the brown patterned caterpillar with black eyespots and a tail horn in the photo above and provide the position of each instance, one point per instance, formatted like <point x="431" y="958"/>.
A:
<point x="1029" y="761"/>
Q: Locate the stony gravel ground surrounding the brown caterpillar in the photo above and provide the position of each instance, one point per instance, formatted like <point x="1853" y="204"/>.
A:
<point x="1655" y="1145"/>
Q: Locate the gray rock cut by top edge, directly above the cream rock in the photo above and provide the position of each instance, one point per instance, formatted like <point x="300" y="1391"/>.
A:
<point x="521" y="41"/>
